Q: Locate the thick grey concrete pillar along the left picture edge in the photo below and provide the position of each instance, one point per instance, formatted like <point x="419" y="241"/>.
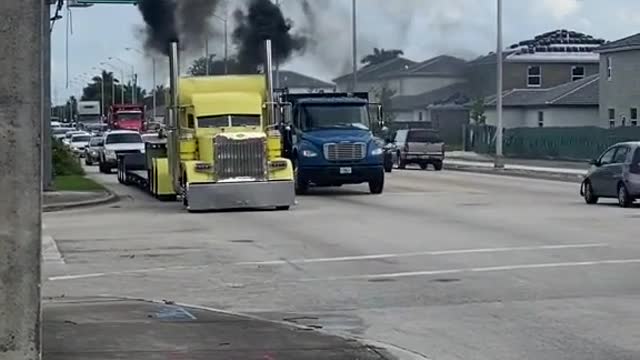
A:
<point x="20" y="178"/>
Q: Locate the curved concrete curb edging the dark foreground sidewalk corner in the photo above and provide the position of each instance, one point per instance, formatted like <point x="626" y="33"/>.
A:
<point x="393" y="350"/>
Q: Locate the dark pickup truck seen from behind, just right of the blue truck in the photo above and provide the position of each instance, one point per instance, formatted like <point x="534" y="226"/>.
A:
<point x="418" y="146"/>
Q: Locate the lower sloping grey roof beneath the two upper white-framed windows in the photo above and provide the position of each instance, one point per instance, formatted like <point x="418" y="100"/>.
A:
<point x="582" y="92"/>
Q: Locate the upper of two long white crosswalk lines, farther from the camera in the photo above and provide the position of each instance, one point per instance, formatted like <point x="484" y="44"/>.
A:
<point x="423" y="253"/>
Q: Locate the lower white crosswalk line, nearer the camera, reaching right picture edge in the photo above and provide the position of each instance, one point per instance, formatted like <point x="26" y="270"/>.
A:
<point x="477" y="270"/>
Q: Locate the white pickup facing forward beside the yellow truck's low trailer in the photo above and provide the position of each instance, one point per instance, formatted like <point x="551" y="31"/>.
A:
<point x="116" y="143"/>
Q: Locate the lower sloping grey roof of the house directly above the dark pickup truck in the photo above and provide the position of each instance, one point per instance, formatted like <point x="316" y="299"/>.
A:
<point x="456" y="93"/>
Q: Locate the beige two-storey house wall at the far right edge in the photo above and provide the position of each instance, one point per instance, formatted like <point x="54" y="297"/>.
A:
<point x="622" y="91"/>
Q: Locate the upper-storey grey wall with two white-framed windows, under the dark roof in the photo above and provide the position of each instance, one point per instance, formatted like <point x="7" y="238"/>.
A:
<point x="483" y="76"/>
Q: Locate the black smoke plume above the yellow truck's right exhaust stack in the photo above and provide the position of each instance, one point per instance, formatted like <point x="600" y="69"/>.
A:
<point x="264" y="20"/>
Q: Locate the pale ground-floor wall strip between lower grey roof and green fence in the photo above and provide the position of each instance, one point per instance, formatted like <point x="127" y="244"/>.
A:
<point x="552" y="117"/>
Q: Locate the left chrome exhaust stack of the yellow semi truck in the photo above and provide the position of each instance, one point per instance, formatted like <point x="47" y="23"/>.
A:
<point x="173" y="151"/>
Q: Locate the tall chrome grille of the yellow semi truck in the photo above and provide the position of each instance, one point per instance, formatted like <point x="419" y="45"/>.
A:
<point x="240" y="159"/>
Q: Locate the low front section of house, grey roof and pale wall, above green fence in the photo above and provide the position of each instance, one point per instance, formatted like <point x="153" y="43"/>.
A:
<point x="573" y="103"/>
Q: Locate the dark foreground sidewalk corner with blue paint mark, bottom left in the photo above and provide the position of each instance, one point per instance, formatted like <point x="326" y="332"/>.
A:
<point x="109" y="328"/>
